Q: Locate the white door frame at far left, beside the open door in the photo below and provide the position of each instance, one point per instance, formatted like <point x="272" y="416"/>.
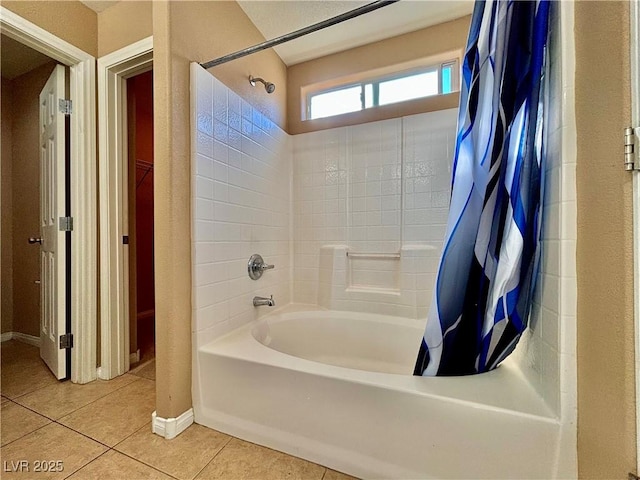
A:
<point x="84" y="246"/>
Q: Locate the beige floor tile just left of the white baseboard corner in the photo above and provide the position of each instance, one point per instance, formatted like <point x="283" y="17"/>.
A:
<point x="114" y="417"/>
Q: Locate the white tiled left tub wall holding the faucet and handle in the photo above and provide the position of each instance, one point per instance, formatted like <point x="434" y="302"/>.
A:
<point x="241" y="193"/>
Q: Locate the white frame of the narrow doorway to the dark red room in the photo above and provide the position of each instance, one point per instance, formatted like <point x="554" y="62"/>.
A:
<point x="113" y="71"/>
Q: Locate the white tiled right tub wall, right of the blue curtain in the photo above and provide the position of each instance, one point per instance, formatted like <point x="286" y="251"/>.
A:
<point x="547" y="353"/>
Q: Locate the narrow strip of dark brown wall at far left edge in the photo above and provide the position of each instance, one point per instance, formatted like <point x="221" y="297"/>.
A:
<point x="6" y="214"/>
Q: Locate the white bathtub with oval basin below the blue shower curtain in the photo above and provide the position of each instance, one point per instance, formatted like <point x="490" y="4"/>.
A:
<point x="336" y="388"/>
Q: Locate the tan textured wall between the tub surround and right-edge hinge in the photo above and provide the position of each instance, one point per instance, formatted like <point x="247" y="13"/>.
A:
<point x="606" y="387"/>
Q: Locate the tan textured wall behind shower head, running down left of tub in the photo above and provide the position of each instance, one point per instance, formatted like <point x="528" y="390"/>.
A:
<point x="185" y="32"/>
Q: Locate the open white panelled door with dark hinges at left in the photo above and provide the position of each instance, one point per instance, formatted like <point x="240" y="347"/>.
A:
<point x="52" y="207"/>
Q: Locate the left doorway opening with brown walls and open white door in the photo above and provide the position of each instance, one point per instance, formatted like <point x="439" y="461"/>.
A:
<point x="35" y="187"/>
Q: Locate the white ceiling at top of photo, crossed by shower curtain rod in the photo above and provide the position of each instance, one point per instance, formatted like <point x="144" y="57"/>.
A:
<point x="274" y="18"/>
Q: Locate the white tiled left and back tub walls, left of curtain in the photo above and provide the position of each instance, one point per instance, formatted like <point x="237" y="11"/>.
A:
<point x="299" y="200"/>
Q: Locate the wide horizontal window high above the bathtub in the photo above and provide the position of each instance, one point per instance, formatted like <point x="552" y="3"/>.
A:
<point x="427" y="81"/>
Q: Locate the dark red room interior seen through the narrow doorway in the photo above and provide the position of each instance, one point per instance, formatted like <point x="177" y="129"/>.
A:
<point x="140" y="197"/>
